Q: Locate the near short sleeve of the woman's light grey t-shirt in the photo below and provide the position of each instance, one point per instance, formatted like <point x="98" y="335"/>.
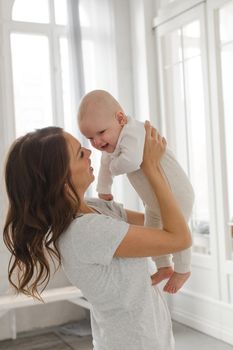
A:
<point x="95" y="238"/>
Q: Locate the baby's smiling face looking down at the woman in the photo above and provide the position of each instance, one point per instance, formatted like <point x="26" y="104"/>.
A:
<point x="103" y="131"/>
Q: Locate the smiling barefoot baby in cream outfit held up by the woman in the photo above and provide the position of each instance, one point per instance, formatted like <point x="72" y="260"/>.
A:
<point x="121" y="141"/>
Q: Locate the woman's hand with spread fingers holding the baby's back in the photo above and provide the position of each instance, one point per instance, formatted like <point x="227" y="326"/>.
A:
<point x="154" y="148"/>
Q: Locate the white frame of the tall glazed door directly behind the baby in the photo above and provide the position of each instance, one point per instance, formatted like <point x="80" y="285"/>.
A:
<point x="196" y="13"/>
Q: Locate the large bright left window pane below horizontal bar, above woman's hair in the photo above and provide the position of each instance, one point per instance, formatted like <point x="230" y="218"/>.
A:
<point x="31" y="80"/>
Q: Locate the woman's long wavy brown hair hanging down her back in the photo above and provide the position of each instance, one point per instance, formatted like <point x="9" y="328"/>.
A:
<point x="40" y="209"/>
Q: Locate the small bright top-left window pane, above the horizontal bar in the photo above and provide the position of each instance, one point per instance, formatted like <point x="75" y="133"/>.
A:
<point x="31" y="11"/>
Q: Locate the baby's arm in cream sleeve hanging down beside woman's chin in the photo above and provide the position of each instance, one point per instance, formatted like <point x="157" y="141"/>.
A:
<point x="105" y="178"/>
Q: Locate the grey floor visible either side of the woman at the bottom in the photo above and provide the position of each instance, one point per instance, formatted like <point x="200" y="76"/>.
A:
<point x="52" y="339"/>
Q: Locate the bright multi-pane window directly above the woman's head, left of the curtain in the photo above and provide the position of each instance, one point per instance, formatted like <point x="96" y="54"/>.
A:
<point x="41" y="69"/>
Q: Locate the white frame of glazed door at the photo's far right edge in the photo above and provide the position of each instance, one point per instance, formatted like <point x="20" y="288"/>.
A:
<point x="220" y="165"/>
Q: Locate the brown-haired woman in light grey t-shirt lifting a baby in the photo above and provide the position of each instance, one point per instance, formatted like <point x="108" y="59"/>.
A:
<point x="102" y="247"/>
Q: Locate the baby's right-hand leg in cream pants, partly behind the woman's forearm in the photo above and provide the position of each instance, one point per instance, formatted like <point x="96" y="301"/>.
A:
<point x="184" y="195"/>
